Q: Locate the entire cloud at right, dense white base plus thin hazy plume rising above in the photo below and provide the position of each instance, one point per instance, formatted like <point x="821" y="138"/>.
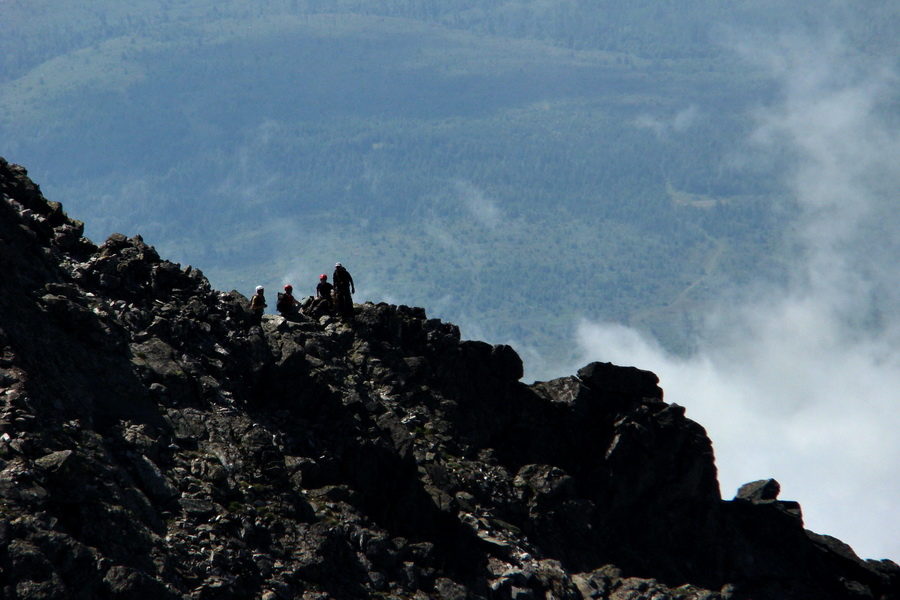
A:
<point x="803" y="385"/>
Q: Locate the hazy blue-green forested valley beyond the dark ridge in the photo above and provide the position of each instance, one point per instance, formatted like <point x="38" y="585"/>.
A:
<point x="512" y="166"/>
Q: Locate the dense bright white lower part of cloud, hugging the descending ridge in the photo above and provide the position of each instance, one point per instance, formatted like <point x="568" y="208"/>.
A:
<point x="818" y="416"/>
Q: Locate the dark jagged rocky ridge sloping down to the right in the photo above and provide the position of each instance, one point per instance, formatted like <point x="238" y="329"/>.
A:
<point x="155" y="444"/>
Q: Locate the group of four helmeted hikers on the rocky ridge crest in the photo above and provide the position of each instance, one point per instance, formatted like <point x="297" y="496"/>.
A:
<point x="330" y="298"/>
